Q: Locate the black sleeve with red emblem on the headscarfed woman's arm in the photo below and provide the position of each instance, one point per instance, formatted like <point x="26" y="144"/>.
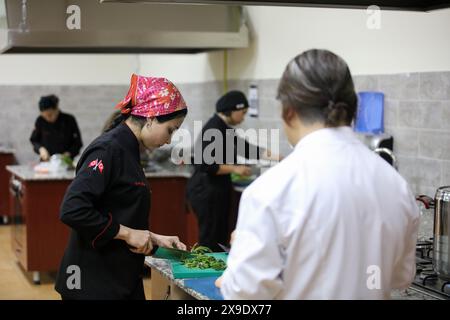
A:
<point x="78" y="209"/>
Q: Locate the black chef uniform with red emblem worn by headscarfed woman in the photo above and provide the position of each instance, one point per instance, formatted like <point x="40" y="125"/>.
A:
<point x="110" y="188"/>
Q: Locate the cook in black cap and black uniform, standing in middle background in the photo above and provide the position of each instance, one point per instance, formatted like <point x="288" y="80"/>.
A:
<point x="209" y="188"/>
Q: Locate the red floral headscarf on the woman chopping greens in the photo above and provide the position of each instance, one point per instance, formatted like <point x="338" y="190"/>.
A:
<point x="151" y="97"/>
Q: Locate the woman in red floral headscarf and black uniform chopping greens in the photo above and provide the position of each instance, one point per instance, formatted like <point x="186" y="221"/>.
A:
<point x="107" y="204"/>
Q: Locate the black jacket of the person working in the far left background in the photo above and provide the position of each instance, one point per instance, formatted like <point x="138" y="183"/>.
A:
<point x="61" y="136"/>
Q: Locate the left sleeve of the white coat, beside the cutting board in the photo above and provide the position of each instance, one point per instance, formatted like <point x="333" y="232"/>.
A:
<point x="255" y="261"/>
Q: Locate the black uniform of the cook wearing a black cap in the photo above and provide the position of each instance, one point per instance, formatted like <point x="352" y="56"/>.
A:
<point x="210" y="194"/>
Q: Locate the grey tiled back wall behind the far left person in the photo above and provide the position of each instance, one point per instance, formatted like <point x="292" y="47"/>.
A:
<point x="91" y="105"/>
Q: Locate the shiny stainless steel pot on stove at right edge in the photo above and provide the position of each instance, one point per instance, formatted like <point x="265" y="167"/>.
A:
<point x="441" y="245"/>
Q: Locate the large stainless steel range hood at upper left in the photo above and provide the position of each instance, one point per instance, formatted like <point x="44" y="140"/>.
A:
<point x="44" y="26"/>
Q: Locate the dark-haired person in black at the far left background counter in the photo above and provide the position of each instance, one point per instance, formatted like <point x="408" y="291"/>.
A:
<point x="55" y="132"/>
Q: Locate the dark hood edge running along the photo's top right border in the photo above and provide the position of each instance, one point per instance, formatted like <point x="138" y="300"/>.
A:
<point x="414" y="5"/>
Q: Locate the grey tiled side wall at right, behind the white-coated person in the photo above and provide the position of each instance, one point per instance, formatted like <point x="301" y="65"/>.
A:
<point x="417" y="114"/>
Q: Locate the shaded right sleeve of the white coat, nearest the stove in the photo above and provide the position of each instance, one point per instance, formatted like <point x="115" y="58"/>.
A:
<point x="405" y="268"/>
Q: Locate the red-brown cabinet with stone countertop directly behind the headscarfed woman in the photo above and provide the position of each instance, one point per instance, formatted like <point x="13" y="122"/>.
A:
<point x="39" y="238"/>
